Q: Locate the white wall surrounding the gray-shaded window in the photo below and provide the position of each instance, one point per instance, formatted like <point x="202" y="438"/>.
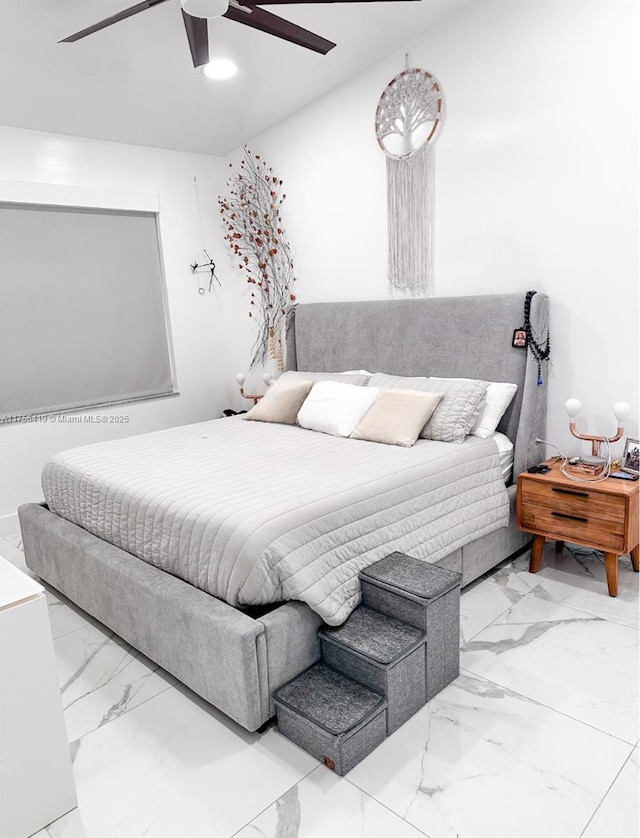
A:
<point x="207" y="351"/>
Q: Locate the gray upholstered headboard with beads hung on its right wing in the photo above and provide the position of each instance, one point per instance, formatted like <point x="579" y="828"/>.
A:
<point x="457" y="337"/>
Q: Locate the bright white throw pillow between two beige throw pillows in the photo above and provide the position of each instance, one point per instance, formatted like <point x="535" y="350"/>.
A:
<point x="335" y="408"/>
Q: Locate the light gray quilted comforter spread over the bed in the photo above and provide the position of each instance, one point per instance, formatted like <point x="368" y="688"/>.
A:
<point x="255" y="513"/>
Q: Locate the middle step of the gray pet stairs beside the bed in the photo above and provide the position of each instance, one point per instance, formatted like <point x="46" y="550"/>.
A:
<point x="383" y="654"/>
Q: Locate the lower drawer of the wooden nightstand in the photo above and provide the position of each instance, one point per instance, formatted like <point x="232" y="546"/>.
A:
<point x="573" y="526"/>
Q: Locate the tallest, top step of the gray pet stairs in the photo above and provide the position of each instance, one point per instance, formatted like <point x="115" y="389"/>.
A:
<point x="424" y="596"/>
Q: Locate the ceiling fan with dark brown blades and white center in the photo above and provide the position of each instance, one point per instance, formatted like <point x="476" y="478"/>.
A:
<point x="195" y="14"/>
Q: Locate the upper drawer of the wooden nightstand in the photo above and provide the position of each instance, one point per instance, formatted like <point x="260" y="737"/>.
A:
<point x="578" y="501"/>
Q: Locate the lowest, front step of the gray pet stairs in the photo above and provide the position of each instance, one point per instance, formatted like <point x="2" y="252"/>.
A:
<point x="335" y="719"/>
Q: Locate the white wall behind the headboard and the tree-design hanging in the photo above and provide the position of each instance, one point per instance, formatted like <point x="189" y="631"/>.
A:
<point x="537" y="184"/>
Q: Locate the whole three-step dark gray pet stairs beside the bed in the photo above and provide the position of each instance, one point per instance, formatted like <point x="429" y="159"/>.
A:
<point x="393" y="654"/>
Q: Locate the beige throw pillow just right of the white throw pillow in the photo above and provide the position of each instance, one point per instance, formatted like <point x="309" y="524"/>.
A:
<point x="397" y="417"/>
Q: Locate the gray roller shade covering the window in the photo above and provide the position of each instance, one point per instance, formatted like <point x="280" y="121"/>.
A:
<point x="82" y="315"/>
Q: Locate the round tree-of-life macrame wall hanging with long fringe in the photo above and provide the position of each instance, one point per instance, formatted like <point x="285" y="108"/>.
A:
<point x="409" y="117"/>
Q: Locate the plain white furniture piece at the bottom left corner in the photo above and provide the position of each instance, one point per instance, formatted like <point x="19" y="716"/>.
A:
<point x="36" y="782"/>
